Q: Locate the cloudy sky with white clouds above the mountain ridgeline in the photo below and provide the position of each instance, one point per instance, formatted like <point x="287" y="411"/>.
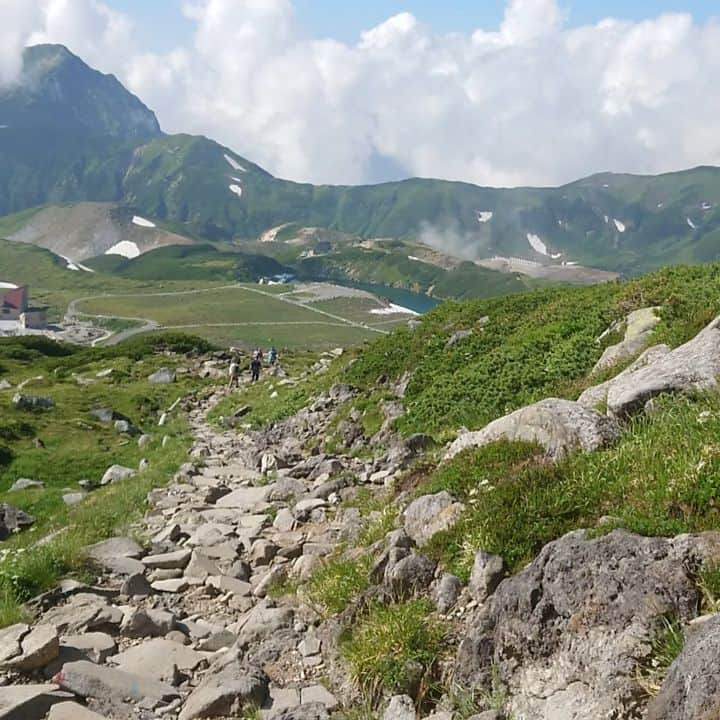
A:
<point x="493" y="92"/>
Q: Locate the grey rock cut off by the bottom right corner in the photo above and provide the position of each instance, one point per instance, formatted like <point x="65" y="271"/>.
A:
<point x="691" y="690"/>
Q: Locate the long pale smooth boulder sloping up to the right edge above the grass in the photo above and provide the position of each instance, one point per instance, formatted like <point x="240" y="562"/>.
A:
<point x="694" y="366"/>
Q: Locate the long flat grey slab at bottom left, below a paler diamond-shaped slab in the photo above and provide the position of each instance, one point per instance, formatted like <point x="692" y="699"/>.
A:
<point x="110" y="686"/>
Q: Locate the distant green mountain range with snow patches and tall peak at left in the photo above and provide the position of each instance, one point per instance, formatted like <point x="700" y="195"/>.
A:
<point x="108" y="147"/>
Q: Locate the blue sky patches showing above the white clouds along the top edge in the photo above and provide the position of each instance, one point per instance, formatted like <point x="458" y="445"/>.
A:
<point x="162" y="27"/>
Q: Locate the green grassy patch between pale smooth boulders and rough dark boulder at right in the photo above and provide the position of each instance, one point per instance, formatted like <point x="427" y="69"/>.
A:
<point x="660" y="479"/>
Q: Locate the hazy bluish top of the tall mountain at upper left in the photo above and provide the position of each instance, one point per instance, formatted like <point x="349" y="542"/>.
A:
<point x="59" y="92"/>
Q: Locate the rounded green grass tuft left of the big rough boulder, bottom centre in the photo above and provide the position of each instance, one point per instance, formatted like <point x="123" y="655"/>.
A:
<point x="395" y="649"/>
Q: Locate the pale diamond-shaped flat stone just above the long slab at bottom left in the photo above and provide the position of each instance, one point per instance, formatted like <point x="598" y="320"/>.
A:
<point x="159" y="659"/>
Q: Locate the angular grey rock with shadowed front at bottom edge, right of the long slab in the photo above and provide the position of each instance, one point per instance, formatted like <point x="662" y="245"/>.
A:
<point x="226" y="696"/>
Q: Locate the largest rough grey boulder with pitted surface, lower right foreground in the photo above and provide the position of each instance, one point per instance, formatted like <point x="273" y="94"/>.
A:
<point x="567" y="633"/>
